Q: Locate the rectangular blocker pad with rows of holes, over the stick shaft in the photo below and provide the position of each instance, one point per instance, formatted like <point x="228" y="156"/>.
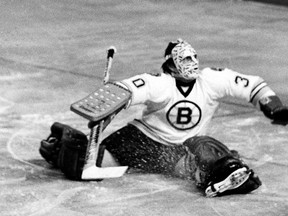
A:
<point x="102" y="103"/>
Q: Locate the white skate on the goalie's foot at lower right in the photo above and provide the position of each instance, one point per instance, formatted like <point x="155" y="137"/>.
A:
<point x="234" y="180"/>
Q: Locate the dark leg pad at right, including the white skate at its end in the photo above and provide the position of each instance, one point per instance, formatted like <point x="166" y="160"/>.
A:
<point x="219" y="170"/>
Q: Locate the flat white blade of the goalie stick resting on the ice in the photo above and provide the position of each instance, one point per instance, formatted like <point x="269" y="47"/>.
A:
<point x="94" y="172"/>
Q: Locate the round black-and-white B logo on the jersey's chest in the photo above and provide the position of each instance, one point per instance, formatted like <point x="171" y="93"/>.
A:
<point x="184" y="115"/>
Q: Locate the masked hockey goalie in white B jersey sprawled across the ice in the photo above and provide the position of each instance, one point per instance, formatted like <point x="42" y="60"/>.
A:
<point x="170" y="137"/>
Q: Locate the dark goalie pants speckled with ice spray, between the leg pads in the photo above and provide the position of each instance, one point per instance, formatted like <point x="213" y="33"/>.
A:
<point x="130" y="147"/>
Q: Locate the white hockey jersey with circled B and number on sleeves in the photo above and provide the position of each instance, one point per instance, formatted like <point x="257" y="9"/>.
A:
<point x="175" y="111"/>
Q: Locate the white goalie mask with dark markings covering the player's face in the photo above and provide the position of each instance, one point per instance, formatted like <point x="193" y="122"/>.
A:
<point x="185" y="60"/>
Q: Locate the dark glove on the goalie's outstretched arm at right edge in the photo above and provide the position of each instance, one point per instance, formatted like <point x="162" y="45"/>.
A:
<point x="273" y="108"/>
